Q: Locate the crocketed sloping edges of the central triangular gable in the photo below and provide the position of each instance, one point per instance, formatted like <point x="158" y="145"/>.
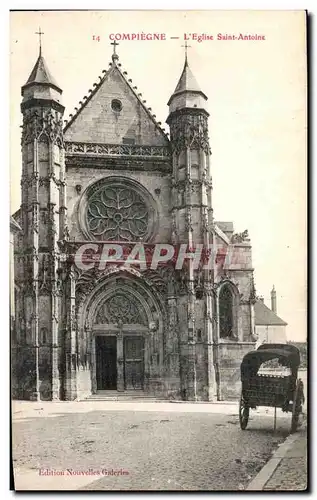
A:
<point x="115" y="69"/>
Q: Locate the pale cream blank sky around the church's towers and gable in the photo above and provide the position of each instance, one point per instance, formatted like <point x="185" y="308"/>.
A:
<point x="256" y="99"/>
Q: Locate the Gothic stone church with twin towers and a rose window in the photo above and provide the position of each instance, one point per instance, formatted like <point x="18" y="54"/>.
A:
<point x="112" y="174"/>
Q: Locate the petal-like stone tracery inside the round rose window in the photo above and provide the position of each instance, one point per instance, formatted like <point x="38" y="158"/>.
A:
<point x="117" y="213"/>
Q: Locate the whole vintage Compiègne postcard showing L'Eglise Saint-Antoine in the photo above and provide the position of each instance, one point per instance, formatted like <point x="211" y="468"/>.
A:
<point x="158" y="237"/>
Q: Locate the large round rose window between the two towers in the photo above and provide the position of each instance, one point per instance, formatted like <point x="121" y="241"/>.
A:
<point x="118" y="210"/>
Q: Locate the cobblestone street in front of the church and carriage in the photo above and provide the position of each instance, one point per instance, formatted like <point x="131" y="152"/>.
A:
<point x="183" y="447"/>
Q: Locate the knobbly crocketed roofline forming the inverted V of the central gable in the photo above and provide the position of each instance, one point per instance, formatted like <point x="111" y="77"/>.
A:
<point x="97" y="86"/>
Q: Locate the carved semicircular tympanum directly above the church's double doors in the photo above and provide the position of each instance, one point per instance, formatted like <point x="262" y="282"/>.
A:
<point x="122" y="309"/>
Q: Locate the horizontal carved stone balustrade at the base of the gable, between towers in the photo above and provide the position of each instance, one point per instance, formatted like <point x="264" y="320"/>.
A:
<point x="76" y="148"/>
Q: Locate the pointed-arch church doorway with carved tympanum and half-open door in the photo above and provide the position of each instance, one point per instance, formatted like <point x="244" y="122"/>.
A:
<point x="124" y="328"/>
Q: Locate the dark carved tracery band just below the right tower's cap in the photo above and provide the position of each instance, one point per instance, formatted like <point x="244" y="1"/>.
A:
<point x="190" y="131"/>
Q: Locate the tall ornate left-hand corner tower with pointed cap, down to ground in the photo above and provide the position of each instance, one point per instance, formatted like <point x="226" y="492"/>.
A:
<point x="43" y="224"/>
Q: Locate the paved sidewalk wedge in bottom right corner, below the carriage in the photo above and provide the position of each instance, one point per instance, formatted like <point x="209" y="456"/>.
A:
<point x="287" y="469"/>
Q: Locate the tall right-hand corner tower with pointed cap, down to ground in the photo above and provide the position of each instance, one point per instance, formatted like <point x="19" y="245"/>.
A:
<point x="192" y="222"/>
